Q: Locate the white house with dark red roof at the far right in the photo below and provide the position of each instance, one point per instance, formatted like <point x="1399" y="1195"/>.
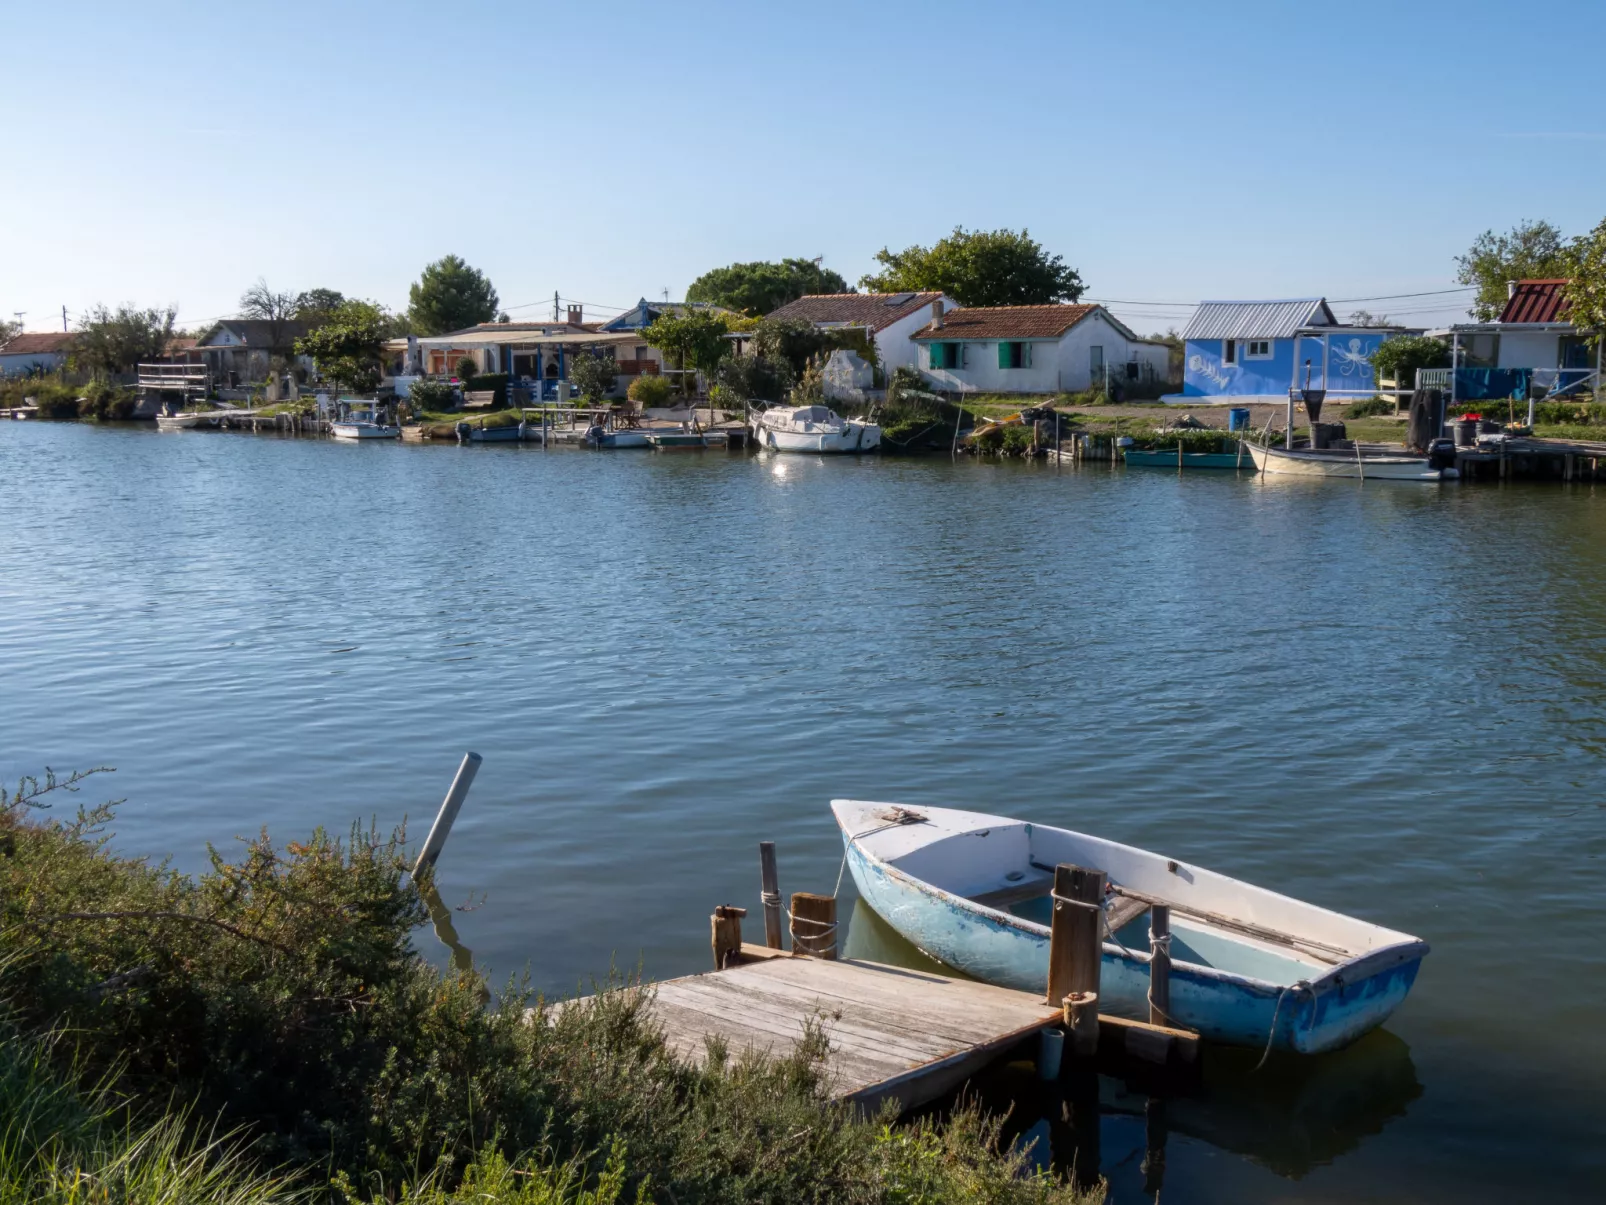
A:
<point x="1533" y="343"/>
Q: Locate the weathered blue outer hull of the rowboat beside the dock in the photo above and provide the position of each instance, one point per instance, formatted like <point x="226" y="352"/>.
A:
<point x="1310" y="1016"/>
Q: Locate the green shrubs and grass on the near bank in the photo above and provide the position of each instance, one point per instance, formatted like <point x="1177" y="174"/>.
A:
<point x="267" y="1032"/>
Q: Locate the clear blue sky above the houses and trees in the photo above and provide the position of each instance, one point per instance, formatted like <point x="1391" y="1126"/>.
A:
<point x="1172" y="152"/>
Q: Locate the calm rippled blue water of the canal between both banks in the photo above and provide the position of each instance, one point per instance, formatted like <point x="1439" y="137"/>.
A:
<point x="1380" y="698"/>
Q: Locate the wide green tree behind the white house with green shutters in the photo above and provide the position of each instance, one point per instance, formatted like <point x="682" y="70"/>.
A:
<point x="979" y="268"/>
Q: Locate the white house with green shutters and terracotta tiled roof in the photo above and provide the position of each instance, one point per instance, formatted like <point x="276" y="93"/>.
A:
<point x="1037" y="349"/>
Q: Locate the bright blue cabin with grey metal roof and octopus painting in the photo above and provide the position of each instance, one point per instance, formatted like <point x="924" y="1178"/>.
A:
<point x="1257" y="351"/>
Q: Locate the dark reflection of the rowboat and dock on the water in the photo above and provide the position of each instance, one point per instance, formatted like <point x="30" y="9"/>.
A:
<point x="1295" y="1114"/>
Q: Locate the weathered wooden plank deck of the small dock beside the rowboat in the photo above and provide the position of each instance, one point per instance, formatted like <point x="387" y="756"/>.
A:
<point x="894" y="1034"/>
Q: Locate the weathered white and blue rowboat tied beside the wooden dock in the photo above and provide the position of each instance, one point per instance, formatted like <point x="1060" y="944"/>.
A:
<point x="1249" y="966"/>
